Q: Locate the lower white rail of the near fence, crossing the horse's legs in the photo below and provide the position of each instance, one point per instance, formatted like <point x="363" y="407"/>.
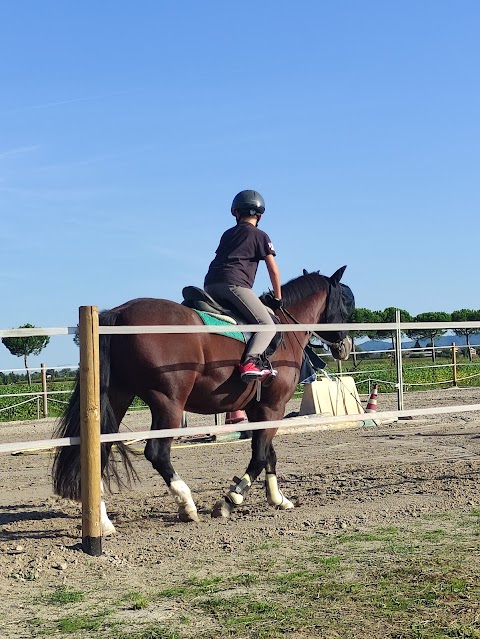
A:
<point x="191" y="431"/>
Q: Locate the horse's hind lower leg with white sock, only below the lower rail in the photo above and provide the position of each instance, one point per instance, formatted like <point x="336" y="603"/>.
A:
<point x="157" y="451"/>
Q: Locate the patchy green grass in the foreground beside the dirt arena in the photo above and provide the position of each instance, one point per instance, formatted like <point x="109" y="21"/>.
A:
<point x="417" y="580"/>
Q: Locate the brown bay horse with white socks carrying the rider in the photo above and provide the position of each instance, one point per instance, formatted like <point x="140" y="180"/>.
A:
<point x="197" y="373"/>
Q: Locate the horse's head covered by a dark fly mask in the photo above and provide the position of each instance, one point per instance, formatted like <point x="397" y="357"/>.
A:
<point x="339" y="310"/>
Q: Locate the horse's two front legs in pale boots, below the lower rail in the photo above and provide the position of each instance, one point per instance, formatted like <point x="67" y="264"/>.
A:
<point x="263" y="458"/>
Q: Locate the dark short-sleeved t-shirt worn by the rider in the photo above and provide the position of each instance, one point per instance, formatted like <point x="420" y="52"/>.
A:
<point x="238" y="254"/>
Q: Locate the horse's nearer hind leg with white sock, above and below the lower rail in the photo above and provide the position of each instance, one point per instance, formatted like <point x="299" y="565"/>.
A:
<point x="157" y="451"/>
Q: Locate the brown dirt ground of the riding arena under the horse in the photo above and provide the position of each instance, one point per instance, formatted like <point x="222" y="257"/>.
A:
<point x="342" y="478"/>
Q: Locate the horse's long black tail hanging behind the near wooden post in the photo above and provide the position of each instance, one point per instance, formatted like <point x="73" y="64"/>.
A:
<point x="66" y="464"/>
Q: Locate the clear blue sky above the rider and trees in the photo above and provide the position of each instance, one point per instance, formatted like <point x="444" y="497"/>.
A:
<point x="126" y="128"/>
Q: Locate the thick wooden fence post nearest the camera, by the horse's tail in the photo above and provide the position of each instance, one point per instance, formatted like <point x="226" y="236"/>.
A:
<point x="90" y="471"/>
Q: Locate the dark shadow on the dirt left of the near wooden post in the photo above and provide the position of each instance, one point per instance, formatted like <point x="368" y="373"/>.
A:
<point x="11" y="514"/>
